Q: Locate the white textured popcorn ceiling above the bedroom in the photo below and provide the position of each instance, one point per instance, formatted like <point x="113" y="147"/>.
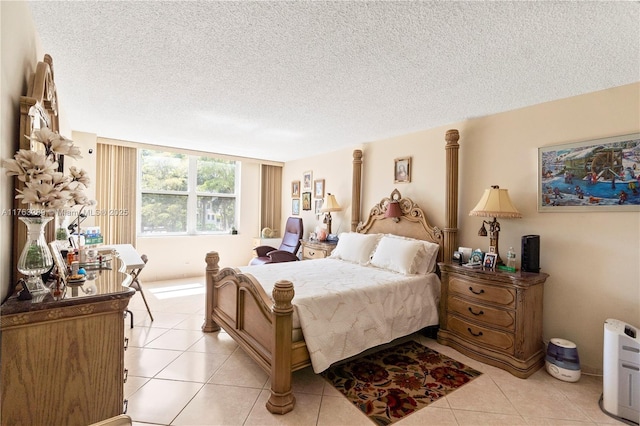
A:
<point x="284" y="80"/>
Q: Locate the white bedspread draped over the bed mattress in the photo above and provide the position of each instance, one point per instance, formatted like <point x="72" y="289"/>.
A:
<point x="344" y="308"/>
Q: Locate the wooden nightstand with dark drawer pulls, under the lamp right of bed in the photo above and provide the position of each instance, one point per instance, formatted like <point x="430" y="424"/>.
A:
<point x="493" y="316"/>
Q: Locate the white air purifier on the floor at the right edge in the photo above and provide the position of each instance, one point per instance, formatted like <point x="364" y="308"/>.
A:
<point x="621" y="371"/>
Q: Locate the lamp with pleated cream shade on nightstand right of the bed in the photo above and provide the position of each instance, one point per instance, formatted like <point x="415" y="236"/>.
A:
<point x="495" y="203"/>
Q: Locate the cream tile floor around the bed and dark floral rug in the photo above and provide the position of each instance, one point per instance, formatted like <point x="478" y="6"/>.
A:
<point x="179" y="375"/>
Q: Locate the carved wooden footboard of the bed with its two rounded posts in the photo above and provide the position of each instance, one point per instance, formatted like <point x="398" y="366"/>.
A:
<point x="262" y="327"/>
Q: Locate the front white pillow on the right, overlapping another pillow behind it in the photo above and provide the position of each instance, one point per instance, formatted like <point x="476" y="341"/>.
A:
<point x="398" y="255"/>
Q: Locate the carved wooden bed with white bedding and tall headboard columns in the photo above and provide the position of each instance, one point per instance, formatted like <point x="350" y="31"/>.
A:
<point x="396" y="271"/>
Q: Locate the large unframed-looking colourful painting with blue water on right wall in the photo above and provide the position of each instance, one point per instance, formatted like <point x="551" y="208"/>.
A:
<point x="594" y="175"/>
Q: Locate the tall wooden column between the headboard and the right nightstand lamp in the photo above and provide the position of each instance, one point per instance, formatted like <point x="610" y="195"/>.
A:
<point x="451" y="196"/>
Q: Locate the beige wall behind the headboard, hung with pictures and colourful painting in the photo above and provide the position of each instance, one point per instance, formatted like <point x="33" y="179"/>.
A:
<point x="593" y="258"/>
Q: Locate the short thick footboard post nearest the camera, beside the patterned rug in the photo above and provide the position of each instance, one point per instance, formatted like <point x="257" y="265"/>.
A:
<point x="281" y="400"/>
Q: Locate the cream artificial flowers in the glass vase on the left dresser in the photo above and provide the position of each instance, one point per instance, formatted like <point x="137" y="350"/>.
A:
<point x="46" y="189"/>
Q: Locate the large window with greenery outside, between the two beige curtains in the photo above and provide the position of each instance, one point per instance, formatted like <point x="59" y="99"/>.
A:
<point x="186" y="194"/>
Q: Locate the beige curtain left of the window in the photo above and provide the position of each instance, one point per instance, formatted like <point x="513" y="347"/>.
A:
<point x="116" y="193"/>
